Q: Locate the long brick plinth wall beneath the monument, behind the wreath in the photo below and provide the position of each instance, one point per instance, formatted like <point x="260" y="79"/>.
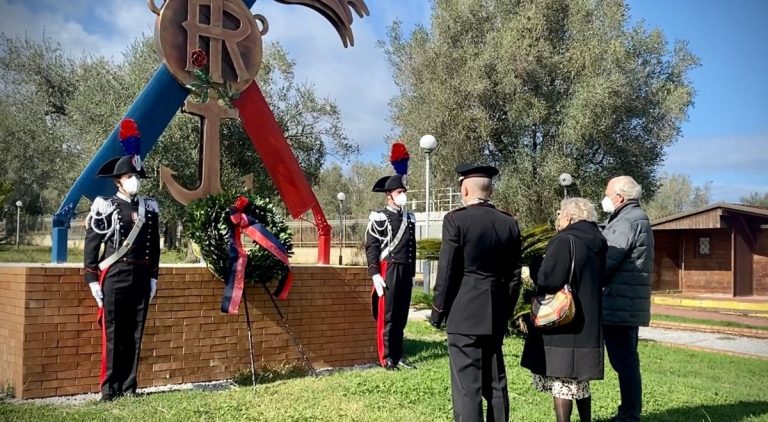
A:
<point x="187" y="338"/>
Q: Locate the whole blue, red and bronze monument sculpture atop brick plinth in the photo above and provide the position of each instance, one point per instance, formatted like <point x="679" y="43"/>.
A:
<point x="231" y="36"/>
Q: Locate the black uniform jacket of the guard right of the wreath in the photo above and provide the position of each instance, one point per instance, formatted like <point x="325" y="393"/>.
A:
<point x="404" y="252"/>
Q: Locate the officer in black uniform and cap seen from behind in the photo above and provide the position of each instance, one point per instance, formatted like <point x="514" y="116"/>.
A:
<point x="478" y="279"/>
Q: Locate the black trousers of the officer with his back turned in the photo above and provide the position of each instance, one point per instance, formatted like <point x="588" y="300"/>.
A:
<point x="477" y="372"/>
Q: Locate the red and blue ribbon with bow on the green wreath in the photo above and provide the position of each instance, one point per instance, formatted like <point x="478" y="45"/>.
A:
<point x="238" y="256"/>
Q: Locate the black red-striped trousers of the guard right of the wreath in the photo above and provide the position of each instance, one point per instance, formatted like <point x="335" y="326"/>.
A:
<point x="395" y="304"/>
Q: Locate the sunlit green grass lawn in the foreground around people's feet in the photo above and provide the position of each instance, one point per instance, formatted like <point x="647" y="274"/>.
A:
<point x="679" y="385"/>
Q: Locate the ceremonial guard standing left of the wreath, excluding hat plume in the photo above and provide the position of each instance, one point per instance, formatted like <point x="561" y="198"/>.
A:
<point x="122" y="278"/>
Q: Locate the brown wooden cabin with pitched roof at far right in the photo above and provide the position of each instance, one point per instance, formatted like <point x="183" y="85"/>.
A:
<point x="719" y="249"/>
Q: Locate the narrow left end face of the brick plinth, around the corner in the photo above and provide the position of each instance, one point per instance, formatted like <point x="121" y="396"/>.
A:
<point x="11" y="327"/>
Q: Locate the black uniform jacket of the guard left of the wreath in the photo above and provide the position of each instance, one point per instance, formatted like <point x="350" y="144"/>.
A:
<point x="145" y="249"/>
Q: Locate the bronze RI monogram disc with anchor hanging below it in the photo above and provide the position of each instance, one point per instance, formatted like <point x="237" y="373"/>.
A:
<point x="228" y="34"/>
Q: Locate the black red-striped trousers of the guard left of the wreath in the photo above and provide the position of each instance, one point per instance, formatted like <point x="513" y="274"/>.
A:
<point x="126" y="301"/>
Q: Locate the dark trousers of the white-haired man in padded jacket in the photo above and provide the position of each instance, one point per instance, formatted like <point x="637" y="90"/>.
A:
<point x="621" y="345"/>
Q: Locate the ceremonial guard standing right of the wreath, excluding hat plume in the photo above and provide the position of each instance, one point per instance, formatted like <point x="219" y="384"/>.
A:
<point x="390" y="249"/>
